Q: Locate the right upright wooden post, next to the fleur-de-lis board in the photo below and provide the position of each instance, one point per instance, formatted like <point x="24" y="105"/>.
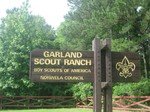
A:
<point x="108" y="89"/>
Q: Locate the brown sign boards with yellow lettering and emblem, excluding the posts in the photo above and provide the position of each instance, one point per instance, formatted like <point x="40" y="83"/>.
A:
<point x="78" y="66"/>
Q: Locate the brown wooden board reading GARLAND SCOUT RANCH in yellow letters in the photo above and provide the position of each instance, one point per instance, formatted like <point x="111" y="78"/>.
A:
<point x="61" y="66"/>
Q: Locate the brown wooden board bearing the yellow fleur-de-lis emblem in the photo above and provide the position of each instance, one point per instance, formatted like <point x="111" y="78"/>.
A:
<point x="125" y="67"/>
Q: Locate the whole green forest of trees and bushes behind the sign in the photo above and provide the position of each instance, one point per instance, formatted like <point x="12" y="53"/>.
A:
<point x="126" y="22"/>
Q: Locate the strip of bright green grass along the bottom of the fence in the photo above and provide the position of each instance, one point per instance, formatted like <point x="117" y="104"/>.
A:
<point x="54" y="110"/>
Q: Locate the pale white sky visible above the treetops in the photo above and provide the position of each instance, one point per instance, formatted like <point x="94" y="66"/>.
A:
<point x="52" y="10"/>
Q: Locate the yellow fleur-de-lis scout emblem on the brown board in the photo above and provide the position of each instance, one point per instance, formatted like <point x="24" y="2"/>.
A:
<point x="125" y="67"/>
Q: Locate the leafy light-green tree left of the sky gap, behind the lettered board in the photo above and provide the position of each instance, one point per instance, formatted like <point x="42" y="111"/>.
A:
<point x="20" y="33"/>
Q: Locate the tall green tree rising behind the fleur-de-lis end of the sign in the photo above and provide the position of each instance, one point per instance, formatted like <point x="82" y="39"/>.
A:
<point x="125" y="22"/>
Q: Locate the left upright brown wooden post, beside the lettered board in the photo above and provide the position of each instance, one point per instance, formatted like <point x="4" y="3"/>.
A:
<point x="97" y="75"/>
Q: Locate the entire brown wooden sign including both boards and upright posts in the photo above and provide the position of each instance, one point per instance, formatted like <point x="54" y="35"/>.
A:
<point x="100" y="66"/>
